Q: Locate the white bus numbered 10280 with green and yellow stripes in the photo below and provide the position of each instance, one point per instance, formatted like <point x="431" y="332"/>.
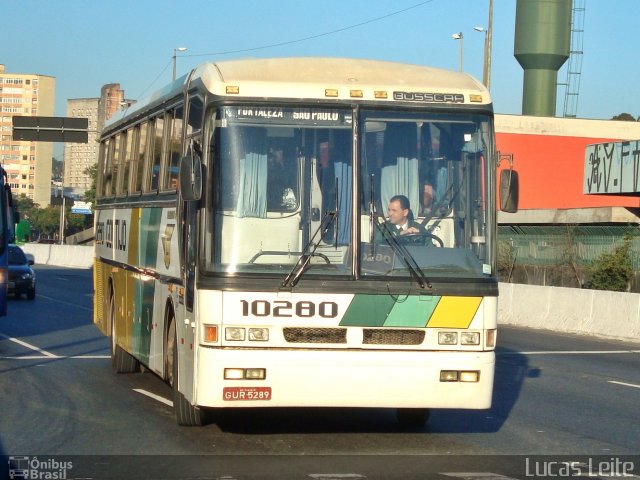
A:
<point x="242" y="251"/>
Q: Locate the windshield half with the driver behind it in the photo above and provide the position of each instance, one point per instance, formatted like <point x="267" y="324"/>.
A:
<point x="425" y="199"/>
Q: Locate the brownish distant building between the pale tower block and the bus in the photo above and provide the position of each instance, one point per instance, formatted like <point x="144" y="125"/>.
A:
<point x="79" y="156"/>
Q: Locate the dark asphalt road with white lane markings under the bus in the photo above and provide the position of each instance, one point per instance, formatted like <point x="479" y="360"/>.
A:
<point x="556" y="398"/>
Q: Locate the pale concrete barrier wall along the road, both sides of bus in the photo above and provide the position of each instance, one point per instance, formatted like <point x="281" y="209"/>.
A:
<point x="571" y="310"/>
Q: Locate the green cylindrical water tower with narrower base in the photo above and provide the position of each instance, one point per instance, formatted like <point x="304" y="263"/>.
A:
<point x="542" y="42"/>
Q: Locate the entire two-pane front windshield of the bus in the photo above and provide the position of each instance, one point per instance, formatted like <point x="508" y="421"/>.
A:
<point x="283" y="189"/>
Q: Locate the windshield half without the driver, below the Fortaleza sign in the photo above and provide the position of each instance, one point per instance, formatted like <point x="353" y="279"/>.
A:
<point x="277" y="173"/>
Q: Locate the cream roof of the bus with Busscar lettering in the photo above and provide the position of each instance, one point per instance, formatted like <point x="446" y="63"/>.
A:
<point x="316" y="78"/>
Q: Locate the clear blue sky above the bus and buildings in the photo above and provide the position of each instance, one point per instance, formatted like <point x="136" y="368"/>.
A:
<point x="88" y="43"/>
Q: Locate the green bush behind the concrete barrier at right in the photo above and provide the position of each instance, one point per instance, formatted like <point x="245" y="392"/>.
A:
<point x="613" y="271"/>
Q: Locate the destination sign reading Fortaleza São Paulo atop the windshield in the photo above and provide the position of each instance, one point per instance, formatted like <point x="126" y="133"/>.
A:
<point x="289" y="116"/>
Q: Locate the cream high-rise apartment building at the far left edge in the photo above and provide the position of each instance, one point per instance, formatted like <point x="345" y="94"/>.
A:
<point x="28" y="164"/>
